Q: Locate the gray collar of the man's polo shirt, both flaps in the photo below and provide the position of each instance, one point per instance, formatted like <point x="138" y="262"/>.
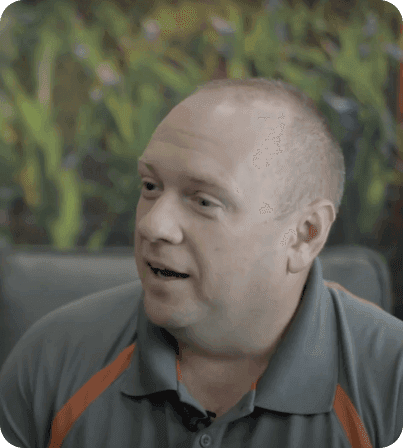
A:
<point x="300" y="379"/>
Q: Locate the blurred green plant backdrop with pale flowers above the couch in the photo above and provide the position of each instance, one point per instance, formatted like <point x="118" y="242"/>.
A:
<point x="83" y="85"/>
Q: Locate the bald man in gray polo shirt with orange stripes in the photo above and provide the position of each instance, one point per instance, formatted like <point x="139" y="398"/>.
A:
<point x="237" y="340"/>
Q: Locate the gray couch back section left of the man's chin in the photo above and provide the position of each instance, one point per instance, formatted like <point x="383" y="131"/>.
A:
<point x="34" y="283"/>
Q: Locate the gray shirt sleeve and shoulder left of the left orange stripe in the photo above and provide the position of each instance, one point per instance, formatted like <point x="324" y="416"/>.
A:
<point x="61" y="352"/>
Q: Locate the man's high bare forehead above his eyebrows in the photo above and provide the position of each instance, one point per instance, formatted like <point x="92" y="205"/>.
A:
<point x="229" y="135"/>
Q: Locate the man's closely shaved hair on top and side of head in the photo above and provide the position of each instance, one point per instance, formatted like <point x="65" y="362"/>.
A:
<point x="307" y="161"/>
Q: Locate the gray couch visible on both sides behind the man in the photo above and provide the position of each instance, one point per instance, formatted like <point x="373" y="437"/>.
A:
<point x="37" y="280"/>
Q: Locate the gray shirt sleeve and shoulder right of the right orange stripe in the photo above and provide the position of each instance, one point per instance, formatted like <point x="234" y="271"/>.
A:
<point x="370" y="342"/>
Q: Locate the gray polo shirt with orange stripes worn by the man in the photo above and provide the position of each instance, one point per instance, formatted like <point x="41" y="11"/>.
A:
<point x="98" y="373"/>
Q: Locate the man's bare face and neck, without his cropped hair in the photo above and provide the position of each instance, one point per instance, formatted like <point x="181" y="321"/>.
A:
<point x="246" y="270"/>
